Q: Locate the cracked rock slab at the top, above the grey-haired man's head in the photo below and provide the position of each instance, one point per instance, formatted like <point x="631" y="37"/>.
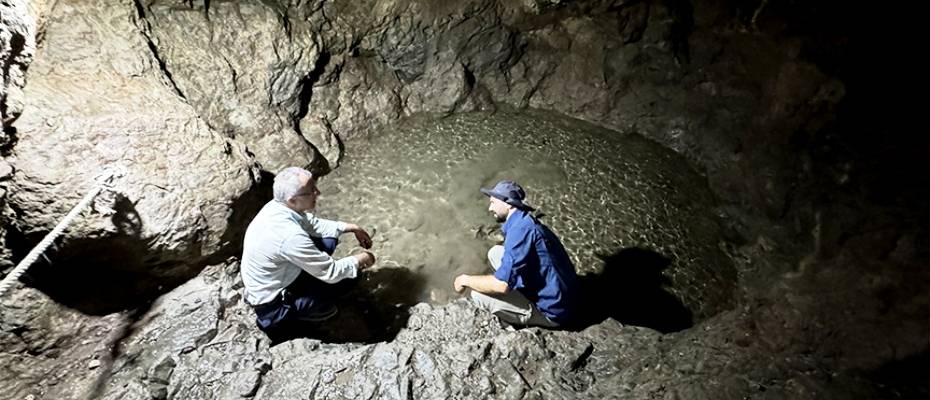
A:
<point x="242" y="68"/>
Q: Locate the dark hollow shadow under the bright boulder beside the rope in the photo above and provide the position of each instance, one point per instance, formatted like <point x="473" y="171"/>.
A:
<point x="117" y="272"/>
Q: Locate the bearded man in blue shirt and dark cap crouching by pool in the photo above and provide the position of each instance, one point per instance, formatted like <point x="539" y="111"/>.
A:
<point x="534" y="282"/>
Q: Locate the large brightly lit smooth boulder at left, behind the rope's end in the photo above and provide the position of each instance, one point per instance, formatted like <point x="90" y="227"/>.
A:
<point x="97" y="102"/>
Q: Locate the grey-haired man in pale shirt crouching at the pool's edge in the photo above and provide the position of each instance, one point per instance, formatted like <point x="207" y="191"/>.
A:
<point x="287" y="264"/>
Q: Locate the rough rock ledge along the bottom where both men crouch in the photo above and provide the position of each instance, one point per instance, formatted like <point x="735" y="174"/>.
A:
<point x="199" y="341"/>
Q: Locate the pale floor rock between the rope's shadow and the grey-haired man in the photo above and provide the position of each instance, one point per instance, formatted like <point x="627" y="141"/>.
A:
<point x="191" y="340"/>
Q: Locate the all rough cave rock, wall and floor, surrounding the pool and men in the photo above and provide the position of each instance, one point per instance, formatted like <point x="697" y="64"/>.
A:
<point x="776" y="103"/>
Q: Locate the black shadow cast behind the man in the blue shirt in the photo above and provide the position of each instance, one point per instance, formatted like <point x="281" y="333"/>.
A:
<point x="631" y="290"/>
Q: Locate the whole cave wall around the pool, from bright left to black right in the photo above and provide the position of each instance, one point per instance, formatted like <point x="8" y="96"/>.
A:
<point x="774" y="102"/>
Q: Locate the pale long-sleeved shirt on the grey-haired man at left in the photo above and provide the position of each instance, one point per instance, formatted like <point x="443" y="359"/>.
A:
<point x="278" y="248"/>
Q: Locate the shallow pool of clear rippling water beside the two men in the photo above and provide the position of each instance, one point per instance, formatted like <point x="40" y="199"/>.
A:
<point x="637" y="221"/>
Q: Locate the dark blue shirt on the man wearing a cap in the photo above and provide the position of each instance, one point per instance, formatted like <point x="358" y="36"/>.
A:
<point x="536" y="264"/>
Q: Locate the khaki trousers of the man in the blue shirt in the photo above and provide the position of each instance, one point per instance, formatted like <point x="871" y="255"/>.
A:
<point x="511" y="307"/>
